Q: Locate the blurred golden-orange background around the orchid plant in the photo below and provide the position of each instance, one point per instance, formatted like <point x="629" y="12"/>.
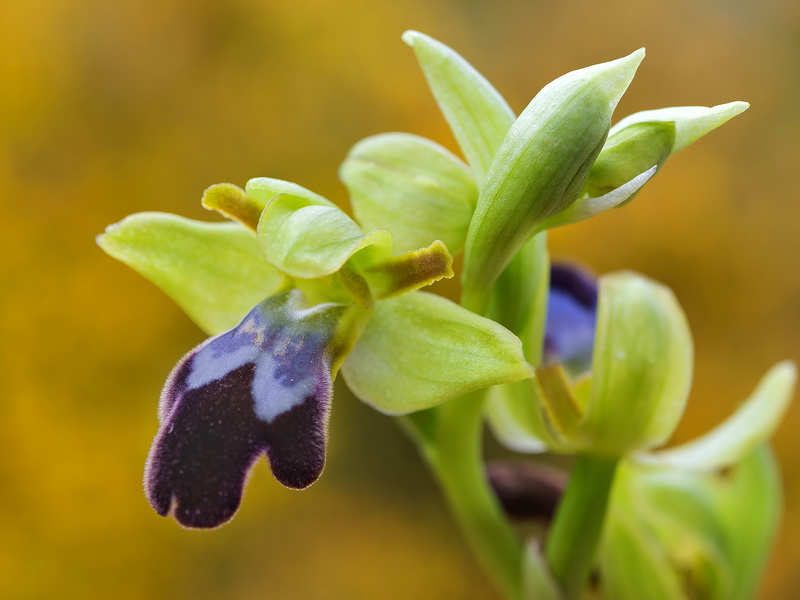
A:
<point x="109" y="108"/>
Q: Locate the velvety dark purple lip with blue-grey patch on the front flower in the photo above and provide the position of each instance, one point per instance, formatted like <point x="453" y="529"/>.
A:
<point x="263" y="387"/>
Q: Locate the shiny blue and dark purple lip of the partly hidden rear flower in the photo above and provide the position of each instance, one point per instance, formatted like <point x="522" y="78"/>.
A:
<point x="571" y="318"/>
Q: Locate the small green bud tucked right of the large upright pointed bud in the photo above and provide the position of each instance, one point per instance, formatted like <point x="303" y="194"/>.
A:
<point x="630" y="152"/>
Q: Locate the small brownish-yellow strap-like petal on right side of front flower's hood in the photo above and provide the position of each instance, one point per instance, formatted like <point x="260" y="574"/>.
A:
<point x="410" y="271"/>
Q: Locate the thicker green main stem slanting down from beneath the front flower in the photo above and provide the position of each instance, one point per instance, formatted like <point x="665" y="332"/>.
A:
<point x="450" y="439"/>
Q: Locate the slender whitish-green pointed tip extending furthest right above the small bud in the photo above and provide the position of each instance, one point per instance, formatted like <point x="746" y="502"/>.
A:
<point x="691" y="122"/>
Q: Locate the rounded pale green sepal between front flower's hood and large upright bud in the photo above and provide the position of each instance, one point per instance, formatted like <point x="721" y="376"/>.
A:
<point x="413" y="187"/>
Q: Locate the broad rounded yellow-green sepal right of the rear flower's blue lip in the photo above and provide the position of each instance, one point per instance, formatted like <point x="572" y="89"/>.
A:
<point x="641" y="366"/>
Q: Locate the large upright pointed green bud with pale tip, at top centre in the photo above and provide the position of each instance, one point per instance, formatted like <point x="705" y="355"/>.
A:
<point x="541" y="167"/>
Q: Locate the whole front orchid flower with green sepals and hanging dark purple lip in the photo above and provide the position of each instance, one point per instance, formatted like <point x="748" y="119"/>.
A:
<point x="292" y="292"/>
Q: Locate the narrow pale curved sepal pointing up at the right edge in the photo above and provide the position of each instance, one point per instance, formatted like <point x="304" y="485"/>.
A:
<point x="751" y="425"/>
